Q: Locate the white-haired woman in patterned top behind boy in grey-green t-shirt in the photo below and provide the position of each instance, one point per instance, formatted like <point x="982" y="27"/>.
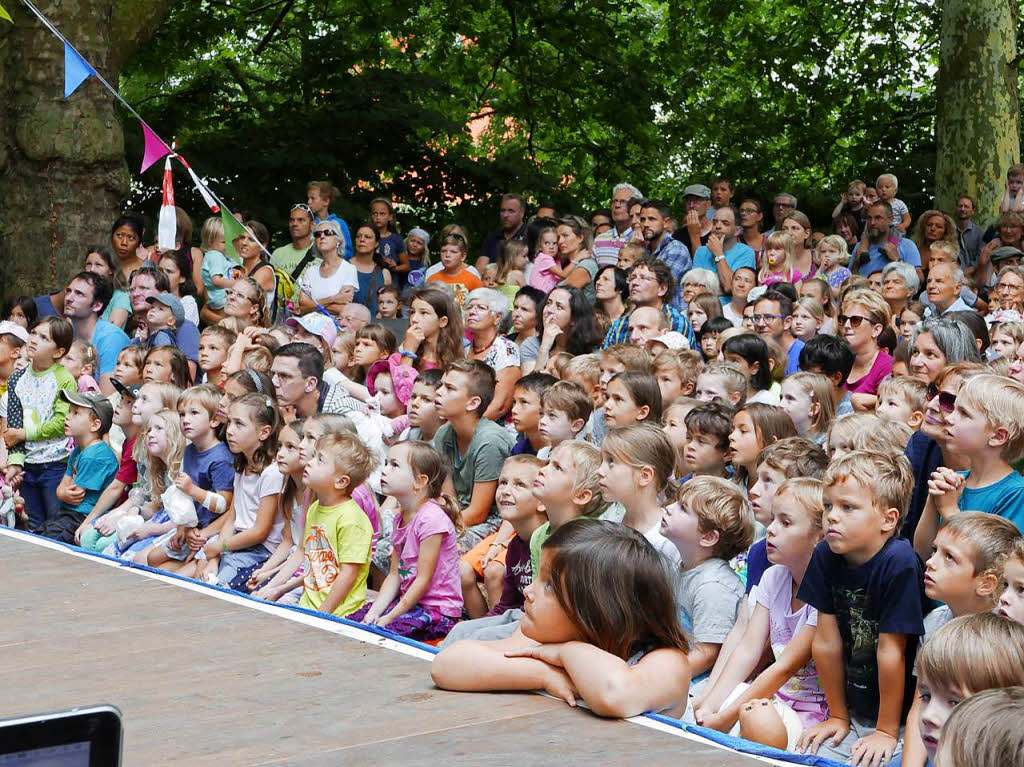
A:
<point x="486" y="308"/>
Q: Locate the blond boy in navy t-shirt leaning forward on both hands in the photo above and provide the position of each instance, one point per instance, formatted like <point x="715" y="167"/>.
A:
<point x="868" y="586"/>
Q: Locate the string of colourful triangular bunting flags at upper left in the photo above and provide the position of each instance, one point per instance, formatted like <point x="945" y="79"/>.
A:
<point x="78" y="70"/>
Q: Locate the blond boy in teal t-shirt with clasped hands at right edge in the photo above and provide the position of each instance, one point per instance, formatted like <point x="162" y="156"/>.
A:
<point x="987" y="428"/>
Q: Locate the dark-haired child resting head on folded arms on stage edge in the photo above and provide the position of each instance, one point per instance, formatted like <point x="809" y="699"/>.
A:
<point x="599" y="624"/>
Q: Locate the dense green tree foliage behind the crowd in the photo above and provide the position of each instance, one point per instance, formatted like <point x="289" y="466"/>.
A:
<point x="379" y="98"/>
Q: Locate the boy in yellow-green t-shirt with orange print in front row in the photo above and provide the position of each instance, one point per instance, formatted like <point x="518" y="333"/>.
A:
<point x="338" y="535"/>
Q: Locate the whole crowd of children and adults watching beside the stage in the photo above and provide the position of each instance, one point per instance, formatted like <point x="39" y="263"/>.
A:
<point x="803" y="529"/>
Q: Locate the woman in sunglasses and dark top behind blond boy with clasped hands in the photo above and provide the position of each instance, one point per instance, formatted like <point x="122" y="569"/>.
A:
<point x="927" y="449"/>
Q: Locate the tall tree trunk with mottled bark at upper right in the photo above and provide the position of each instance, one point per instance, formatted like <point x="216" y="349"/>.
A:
<point x="978" y="114"/>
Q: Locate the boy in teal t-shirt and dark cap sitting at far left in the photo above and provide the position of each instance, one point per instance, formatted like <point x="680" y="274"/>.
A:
<point x="92" y="467"/>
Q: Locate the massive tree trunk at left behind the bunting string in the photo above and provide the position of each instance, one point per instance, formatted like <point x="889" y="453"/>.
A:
<point x="63" y="172"/>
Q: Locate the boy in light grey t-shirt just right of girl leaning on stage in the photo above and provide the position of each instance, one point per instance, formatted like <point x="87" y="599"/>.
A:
<point x="711" y="524"/>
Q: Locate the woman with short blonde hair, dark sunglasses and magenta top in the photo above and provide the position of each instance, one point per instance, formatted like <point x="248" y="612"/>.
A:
<point x="865" y="317"/>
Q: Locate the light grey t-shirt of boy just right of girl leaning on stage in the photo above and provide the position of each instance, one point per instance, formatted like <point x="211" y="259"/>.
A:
<point x="709" y="598"/>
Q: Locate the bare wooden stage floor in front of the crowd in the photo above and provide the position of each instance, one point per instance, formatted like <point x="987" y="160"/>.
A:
<point x="205" y="680"/>
